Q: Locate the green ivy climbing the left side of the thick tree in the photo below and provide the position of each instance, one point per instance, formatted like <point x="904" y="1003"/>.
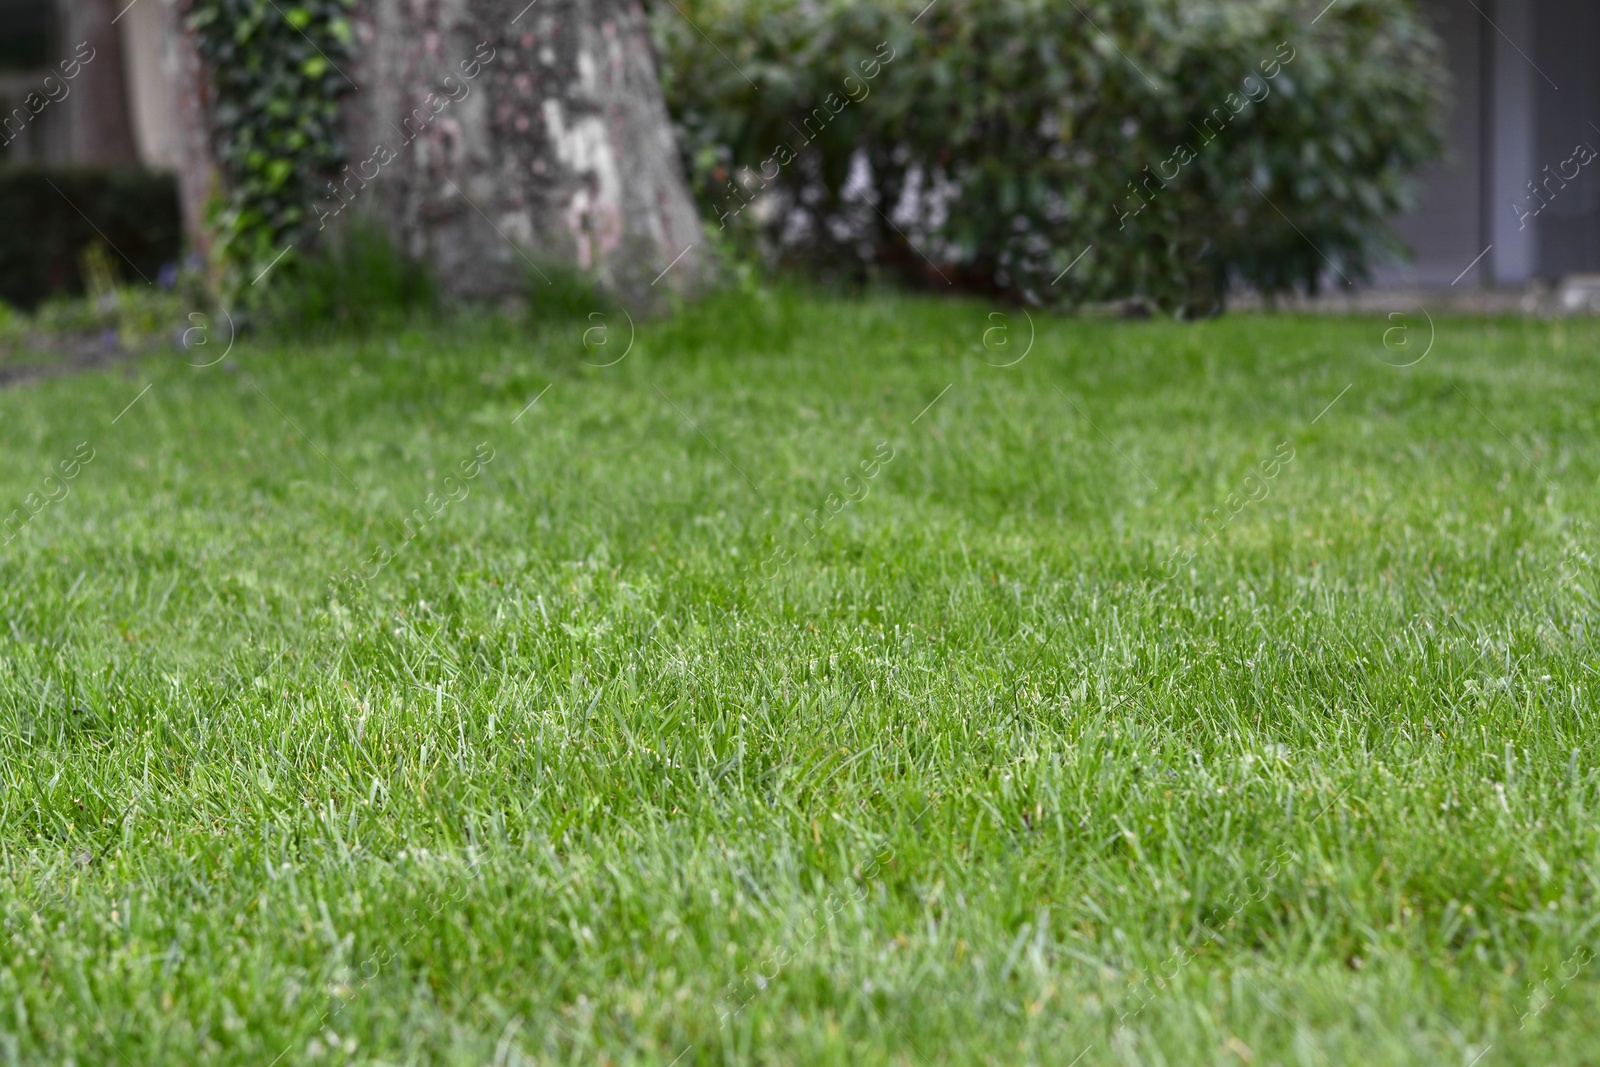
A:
<point x="278" y="82"/>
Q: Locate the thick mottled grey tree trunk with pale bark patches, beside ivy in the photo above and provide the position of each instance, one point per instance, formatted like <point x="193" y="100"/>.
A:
<point x="514" y="138"/>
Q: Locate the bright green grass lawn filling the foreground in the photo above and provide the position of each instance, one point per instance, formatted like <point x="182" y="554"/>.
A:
<point x="1116" y="706"/>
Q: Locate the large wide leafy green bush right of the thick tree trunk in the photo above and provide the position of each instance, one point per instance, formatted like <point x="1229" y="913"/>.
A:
<point x="988" y="143"/>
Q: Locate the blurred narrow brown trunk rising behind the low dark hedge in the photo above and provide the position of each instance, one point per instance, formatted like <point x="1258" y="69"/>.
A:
<point x="102" y="130"/>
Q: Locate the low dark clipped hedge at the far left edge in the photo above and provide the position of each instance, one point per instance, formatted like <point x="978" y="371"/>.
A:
<point x="55" y="214"/>
